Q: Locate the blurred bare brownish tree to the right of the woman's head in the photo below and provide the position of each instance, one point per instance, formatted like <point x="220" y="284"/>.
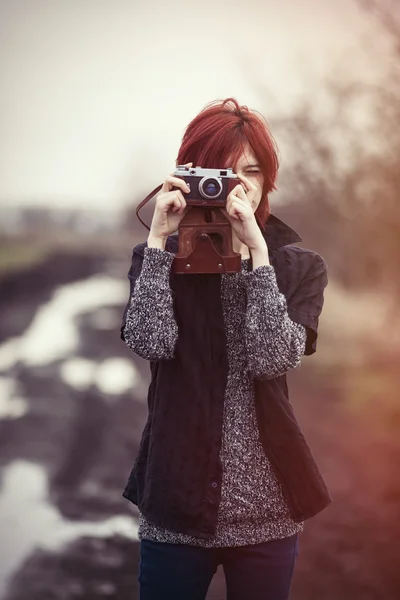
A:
<point x="341" y="181"/>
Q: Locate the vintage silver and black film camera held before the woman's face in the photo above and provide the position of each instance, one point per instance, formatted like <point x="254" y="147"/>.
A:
<point x="208" y="187"/>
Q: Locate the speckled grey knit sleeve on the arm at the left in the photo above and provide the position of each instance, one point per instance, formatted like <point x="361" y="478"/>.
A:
<point x="150" y="329"/>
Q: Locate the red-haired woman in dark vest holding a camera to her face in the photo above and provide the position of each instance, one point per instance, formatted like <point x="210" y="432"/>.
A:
<point x="223" y="474"/>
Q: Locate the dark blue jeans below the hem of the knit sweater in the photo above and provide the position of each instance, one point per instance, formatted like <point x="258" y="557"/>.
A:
<point x="182" y="572"/>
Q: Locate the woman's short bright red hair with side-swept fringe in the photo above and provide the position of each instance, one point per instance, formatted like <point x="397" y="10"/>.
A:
<point x="220" y="132"/>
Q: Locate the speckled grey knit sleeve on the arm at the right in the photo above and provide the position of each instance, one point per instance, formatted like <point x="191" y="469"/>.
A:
<point x="274" y="343"/>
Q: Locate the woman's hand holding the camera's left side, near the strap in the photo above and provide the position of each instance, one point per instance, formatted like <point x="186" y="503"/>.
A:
<point x="169" y="210"/>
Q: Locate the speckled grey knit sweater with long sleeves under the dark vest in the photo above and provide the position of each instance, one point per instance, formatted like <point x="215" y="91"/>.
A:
<point x="262" y="341"/>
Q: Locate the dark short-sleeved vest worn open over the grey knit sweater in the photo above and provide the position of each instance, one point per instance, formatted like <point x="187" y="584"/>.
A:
<point x="176" y="477"/>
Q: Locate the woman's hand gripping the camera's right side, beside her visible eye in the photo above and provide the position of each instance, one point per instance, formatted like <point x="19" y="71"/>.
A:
<point x="239" y="211"/>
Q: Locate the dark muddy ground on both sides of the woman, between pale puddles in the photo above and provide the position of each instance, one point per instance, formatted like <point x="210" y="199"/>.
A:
<point x="86" y="445"/>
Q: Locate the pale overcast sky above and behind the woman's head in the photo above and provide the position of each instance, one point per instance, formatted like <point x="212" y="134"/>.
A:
<point x="95" y="94"/>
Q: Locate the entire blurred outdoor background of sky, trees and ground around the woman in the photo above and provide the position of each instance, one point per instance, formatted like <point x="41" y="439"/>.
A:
<point x="95" y="97"/>
